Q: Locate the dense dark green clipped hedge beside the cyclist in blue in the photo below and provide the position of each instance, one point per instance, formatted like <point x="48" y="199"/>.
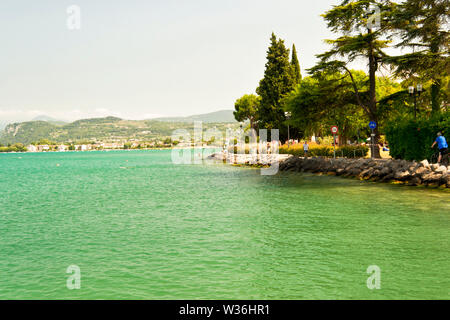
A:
<point x="411" y="139"/>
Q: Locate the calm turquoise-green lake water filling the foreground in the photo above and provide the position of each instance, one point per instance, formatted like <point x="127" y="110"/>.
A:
<point x="142" y="228"/>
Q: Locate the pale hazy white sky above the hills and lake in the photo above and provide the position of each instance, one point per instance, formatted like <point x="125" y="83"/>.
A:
<point x="139" y="59"/>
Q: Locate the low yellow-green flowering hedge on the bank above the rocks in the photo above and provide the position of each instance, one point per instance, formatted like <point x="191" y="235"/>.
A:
<point x="349" y="151"/>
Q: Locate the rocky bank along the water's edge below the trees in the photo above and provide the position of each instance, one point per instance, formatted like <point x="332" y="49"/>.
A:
<point x="383" y="170"/>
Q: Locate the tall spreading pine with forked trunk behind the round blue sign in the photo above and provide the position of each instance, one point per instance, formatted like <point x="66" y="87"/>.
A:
<point x="360" y="38"/>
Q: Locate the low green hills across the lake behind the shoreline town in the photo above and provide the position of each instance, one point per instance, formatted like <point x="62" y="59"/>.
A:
<point x="100" y="129"/>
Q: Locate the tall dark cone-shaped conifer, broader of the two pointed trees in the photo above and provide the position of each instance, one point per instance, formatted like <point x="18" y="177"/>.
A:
<point x="277" y="82"/>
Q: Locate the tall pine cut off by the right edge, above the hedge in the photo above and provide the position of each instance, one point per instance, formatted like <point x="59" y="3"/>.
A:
<point x="421" y="26"/>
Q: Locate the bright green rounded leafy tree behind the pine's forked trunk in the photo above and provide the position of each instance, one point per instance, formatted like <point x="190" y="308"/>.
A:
<point x="326" y="100"/>
